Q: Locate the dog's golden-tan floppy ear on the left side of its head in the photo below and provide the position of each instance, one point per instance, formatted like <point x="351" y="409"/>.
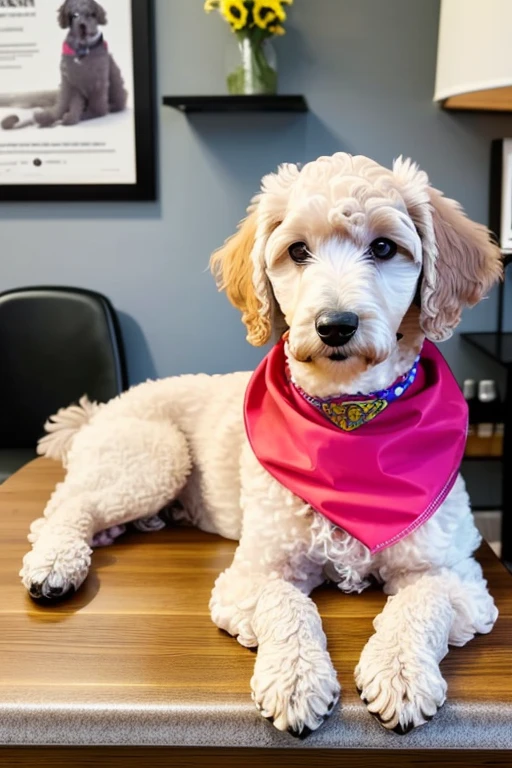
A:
<point x="239" y="266"/>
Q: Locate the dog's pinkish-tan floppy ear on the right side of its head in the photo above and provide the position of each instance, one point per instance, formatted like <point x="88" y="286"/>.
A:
<point x="460" y="261"/>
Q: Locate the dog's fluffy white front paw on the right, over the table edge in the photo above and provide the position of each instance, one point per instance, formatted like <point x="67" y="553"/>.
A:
<point x="402" y="688"/>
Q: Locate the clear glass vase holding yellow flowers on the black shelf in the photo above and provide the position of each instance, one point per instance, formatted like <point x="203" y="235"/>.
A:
<point x="252" y="69"/>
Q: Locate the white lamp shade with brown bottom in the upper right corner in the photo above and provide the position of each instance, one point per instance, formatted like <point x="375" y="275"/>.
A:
<point x="474" y="54"/>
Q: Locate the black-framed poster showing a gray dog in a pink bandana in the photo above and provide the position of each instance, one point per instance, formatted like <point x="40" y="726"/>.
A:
<point x="76" y="100"/>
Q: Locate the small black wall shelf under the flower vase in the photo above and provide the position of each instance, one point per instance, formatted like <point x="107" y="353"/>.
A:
<point x="276" y="103"/>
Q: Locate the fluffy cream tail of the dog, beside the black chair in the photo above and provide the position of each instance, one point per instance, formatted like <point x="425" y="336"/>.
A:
<point x="62" y="428"/>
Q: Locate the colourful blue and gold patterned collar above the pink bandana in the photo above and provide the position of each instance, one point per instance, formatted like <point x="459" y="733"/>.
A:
<point x="349" y="412"/>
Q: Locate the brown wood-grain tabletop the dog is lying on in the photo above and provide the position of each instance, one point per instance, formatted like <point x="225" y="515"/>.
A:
<point x="139" y="632"/>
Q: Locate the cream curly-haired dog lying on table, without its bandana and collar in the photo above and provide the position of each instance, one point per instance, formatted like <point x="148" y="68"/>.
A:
<point x="399" y="262"/>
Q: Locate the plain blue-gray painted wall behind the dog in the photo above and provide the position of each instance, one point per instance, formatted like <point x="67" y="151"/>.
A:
<point x="367" y="68"/>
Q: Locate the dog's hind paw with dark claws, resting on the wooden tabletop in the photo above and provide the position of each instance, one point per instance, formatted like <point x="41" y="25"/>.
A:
<point x="51" y="574"/>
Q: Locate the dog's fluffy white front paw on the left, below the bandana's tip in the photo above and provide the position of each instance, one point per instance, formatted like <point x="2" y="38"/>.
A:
<point x="296" y="693"/>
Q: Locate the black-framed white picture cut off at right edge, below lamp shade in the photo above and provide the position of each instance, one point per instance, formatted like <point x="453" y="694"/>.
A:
<point x="500" y="219"/>
